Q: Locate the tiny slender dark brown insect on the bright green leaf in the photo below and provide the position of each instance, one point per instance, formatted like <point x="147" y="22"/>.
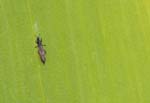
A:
<point x="41" y="50"/>
